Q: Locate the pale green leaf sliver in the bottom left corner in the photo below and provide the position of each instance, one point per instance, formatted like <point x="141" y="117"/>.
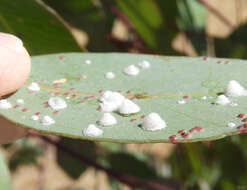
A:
<point x="4" y="174"/>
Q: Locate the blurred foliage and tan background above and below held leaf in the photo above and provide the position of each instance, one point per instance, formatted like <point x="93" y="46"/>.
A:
<point x="168" y="27"/>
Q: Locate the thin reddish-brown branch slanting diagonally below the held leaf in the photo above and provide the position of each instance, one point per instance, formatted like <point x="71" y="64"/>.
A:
<point x="129" y="180"/>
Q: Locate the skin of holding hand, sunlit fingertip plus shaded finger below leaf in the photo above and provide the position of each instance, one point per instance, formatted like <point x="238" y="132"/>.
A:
<point x="15" y="66"/>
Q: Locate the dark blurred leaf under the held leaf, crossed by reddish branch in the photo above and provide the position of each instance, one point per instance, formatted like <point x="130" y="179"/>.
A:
<point x="73" y="167"/>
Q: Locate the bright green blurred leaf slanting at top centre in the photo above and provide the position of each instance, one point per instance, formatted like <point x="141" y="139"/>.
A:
<point x="147" y="20"/>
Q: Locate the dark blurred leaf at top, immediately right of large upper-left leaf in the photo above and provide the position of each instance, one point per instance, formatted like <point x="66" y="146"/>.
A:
<point x="89" y="17"/>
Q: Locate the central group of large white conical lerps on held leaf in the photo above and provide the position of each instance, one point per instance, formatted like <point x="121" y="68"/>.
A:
<point x="116" y="102"/>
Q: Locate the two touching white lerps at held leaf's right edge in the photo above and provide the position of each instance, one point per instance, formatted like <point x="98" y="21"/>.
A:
<point x="234" y="89"/>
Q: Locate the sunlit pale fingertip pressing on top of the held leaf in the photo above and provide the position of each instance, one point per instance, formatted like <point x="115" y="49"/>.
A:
<point x="15" y="63"/>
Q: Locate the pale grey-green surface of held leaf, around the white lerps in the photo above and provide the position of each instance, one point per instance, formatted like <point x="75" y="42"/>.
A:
<point x="157" y="89"/>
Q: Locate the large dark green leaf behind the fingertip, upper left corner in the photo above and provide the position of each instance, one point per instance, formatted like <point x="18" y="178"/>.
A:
<point x="41" y="32"/>
